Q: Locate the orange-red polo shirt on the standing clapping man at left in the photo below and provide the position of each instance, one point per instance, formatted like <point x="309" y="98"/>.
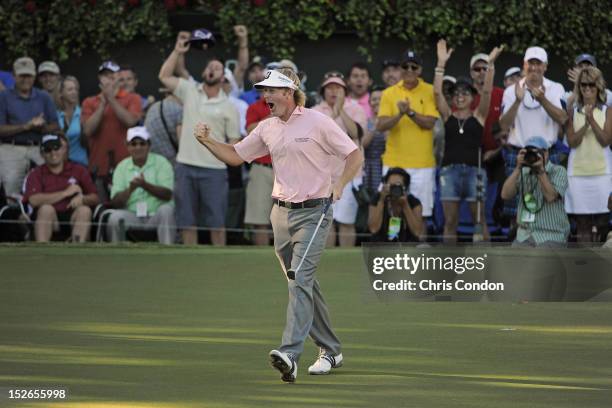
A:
<point x="110" y="136"/>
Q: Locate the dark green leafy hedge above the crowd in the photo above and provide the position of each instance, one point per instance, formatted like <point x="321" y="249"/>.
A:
<point x="64" y="28"/>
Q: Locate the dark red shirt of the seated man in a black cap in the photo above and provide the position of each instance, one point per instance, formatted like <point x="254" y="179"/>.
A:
<point x="42" y="180"/>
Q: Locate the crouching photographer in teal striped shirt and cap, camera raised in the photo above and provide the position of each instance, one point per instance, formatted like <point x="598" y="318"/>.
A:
<point x="540" y="186"/>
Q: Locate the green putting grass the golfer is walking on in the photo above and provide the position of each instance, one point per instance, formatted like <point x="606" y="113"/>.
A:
<point x="191" y="327"/>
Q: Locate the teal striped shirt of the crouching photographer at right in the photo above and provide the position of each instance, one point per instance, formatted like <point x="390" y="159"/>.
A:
<point x="550" y="224"/>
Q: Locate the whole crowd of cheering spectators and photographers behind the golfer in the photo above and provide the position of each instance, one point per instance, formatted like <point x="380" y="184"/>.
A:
<point x="544" y="149"/>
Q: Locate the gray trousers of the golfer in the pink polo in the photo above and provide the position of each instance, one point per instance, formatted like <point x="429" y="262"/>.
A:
<point x="306" y="312"/>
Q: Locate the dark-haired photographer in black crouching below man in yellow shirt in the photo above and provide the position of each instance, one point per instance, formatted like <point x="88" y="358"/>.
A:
<point x="395" y="214"/>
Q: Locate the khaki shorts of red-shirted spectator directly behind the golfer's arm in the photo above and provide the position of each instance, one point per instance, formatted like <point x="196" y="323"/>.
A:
<point x="259" y="195"/>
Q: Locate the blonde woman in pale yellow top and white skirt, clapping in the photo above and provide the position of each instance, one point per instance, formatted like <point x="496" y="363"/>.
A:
<point x="589" y="169"/>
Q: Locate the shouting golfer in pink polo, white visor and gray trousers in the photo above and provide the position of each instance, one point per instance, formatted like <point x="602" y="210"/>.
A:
<point x="306" y="147"/>
